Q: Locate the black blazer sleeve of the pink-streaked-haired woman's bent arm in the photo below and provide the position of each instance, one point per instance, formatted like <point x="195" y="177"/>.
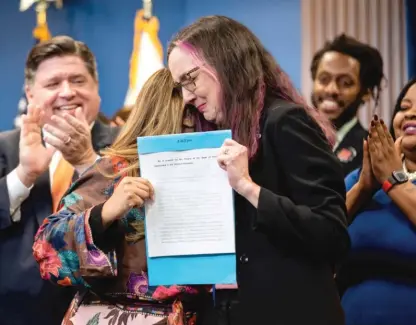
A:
<point x="313" y="215"/>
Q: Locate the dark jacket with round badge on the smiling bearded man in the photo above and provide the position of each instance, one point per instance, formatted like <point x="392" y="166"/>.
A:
<point x="350" y="150"/>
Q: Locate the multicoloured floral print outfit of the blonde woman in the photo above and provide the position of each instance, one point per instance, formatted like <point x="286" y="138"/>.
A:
<point x="111" y="275"/>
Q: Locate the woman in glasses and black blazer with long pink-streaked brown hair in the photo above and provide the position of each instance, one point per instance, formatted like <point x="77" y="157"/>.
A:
<point x="290" y="194"/>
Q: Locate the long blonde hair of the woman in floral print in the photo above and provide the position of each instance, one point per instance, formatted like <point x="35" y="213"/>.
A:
<point x="158" y="110"/>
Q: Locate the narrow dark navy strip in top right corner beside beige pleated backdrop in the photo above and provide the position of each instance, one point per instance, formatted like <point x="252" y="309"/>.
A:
<point x="411" y="37"/>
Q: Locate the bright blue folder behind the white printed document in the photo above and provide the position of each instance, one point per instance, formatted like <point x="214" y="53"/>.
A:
<point x="189" y="269"/>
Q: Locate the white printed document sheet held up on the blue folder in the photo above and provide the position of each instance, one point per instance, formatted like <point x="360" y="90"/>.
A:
<point x="193" y="211"/>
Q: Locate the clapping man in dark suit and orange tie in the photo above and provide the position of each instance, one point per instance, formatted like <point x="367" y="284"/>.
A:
<point x="60" y="130"/>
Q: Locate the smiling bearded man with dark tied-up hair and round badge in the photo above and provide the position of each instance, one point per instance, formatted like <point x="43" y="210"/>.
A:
<point x="346" y="74"/>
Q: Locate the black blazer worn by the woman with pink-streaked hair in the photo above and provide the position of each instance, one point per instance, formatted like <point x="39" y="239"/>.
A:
<point x="287" y="247"/>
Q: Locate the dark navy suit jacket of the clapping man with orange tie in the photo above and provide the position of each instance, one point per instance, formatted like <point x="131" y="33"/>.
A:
<point x="24" y="297"/>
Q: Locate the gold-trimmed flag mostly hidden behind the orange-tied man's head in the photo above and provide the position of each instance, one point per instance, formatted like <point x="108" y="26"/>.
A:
<point x="40" y="33"/>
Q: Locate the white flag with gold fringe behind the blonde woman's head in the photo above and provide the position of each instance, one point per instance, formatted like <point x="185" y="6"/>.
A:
<point x="147" y="54"/>
